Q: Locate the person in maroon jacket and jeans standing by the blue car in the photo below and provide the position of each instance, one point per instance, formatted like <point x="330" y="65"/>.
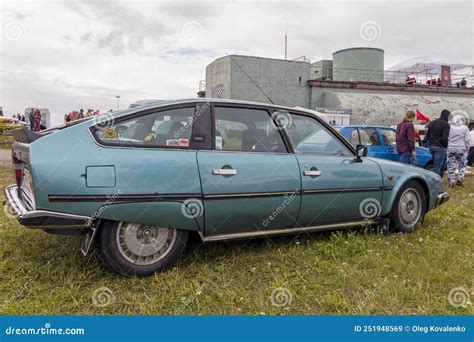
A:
<point x="406" y="139"/>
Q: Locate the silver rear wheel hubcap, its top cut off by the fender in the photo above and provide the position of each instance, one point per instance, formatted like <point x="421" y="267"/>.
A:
<point x="144" y="244"/>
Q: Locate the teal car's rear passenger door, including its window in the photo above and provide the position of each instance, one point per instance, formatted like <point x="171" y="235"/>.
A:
<point x="249" y="180"/>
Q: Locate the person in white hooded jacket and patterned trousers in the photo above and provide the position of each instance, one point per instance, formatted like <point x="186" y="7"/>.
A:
<point x="458" y="147"/>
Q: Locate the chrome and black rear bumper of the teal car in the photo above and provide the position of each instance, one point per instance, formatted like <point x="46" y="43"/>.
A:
<point x="30" y="217"/>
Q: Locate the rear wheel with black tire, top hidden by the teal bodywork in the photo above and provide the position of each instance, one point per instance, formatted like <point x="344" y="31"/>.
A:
<point x="112" y="240"/>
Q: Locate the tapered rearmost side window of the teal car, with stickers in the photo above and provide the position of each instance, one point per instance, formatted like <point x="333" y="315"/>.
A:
<point x="166" y="128"/>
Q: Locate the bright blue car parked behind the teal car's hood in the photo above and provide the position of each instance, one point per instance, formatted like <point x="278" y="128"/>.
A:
<point x="381" y="143"/>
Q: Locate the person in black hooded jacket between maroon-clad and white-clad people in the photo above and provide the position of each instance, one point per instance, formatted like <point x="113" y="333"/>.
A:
<point x="436" y="140"/>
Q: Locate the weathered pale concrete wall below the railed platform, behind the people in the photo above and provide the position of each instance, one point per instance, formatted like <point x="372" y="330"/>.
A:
<point x="388" y="108"/>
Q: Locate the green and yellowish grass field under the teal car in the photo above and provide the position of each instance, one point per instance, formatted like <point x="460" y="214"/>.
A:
<point x="354" y="272"/>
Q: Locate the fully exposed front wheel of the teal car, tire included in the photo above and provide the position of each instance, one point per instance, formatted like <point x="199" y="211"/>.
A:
<point x="409" y="208"/>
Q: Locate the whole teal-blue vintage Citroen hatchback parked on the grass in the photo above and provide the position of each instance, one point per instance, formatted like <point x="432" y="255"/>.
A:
<point x="139" y="181"/>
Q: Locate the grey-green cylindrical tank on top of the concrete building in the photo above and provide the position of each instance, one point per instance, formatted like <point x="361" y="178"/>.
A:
<point x="360" y="64"/>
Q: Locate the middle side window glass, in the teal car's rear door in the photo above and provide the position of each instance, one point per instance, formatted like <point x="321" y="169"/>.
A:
<point x="241" y="129"/>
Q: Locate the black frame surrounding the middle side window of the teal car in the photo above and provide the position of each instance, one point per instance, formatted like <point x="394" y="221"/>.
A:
<point x="244" y="106"/>
